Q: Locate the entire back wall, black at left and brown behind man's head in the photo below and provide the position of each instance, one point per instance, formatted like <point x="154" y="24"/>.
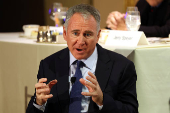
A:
<point x="15" y="14"/>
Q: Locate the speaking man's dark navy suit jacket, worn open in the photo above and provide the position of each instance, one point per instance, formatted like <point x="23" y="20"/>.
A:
<point x="116" y="76"/>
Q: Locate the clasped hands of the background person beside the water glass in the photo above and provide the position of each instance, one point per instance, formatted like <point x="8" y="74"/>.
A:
<point x="116" y="21"/>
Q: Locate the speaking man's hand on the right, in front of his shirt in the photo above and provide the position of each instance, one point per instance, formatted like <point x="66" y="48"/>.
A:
<point x="94" y="89"/>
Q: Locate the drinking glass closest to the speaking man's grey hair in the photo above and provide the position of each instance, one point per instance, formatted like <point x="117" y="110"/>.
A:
<point x="60" y="16"/>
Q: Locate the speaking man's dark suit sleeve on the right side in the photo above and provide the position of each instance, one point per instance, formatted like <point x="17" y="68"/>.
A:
<point x="125" y="101"/>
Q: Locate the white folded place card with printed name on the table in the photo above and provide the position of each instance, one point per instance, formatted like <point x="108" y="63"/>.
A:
<point x="125" y="38"/>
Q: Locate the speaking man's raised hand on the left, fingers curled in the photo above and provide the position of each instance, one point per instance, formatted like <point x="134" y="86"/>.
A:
<point x="43" y="90"/>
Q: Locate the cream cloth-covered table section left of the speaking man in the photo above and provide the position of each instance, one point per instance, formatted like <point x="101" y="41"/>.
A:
<point x="19" y="62"/>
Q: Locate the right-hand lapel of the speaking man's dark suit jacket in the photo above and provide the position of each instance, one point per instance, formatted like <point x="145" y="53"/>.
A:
<point x="102" y="73"/>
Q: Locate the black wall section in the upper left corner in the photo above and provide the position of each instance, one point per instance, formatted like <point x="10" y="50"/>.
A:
<point x="15" y="13"/>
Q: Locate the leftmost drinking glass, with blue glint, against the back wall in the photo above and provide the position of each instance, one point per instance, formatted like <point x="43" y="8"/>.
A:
<point x="53" y="9"/>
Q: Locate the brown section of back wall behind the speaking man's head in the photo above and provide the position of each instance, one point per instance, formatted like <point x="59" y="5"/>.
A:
<point x="104" y="6"/>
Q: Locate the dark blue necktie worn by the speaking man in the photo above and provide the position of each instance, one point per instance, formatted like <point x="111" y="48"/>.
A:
<point x="75" y="95"/>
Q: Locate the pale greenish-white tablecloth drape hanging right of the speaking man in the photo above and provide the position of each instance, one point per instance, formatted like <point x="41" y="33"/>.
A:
<point x="153" y="79"/>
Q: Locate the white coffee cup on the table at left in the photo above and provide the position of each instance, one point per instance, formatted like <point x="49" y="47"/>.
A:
<point x="29" y="28"/>
